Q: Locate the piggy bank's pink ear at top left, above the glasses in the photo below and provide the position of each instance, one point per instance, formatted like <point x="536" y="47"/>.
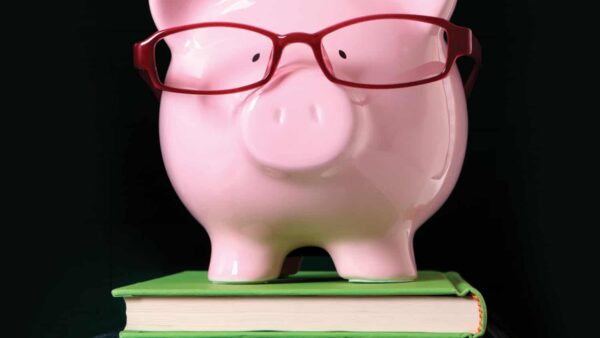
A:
<point x="171" y="13"/>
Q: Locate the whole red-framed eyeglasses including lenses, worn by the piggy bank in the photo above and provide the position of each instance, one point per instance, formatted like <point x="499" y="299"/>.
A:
<point x="373" y="52"/>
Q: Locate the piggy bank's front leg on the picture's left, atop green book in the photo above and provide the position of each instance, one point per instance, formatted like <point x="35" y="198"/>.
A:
<point x="239" y="259"/>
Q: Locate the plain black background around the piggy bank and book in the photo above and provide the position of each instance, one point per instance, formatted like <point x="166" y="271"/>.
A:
<point x="90" y="206"/>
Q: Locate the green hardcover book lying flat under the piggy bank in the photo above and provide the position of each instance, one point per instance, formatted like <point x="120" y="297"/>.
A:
<point x="307" y="304"/>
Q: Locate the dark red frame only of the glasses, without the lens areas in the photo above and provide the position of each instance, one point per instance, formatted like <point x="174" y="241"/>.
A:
<point x="460" y="40"/>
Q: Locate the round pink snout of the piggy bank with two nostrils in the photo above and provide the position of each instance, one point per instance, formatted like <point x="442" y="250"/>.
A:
<point x="298" y="122"/>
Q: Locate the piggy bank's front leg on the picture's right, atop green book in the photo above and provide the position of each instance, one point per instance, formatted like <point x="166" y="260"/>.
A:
<point x="376" y="260"/>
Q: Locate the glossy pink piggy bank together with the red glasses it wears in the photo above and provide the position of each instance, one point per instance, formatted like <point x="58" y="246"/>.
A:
<point x="339" y="124"/>
